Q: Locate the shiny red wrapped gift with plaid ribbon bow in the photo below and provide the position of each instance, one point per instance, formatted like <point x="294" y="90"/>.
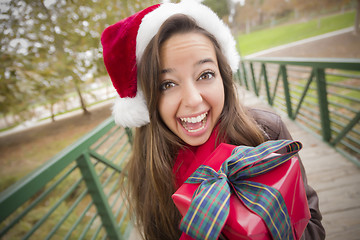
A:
<point x="245" y="193"/>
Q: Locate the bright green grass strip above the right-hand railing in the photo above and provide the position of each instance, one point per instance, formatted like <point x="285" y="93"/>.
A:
<point x="272" y="37"/>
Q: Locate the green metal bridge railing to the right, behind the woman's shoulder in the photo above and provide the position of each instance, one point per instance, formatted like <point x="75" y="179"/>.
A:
<point x="322" y="94"/>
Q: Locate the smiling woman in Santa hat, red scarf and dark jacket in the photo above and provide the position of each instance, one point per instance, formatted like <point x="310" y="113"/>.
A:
<point x="184" y="100"/>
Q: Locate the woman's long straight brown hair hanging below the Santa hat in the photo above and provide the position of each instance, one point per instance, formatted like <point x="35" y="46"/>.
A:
<point x="150" y="176"/>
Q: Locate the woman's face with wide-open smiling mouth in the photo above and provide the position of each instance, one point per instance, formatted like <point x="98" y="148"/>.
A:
<point x="192" y="91"/>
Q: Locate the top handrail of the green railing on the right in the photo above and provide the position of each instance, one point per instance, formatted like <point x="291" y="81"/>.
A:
<point x="338" y="63"/>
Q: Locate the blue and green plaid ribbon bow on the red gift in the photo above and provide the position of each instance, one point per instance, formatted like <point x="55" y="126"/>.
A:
<point x="209" y="208"/>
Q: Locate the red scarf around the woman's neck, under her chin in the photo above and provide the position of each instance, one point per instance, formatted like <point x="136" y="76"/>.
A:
<point x="190" y="158"/>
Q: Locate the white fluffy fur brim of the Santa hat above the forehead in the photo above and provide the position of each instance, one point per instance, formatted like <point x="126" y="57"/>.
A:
<point x="203" y="16"/>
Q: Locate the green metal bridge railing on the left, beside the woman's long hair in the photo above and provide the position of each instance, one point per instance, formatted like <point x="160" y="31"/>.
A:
<point x="75" y="195"/>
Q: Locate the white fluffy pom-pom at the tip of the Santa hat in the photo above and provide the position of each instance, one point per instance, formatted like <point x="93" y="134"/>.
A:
<point x="131" y="112"/>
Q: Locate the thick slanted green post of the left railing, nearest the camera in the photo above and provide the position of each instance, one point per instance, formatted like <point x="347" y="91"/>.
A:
<point x="95" y="190"/>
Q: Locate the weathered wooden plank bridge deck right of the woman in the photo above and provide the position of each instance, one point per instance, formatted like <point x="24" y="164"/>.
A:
<point x="336" y="179"/>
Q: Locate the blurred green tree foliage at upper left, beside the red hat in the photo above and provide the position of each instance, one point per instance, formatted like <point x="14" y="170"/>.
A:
<point x="49" y="48"/>
